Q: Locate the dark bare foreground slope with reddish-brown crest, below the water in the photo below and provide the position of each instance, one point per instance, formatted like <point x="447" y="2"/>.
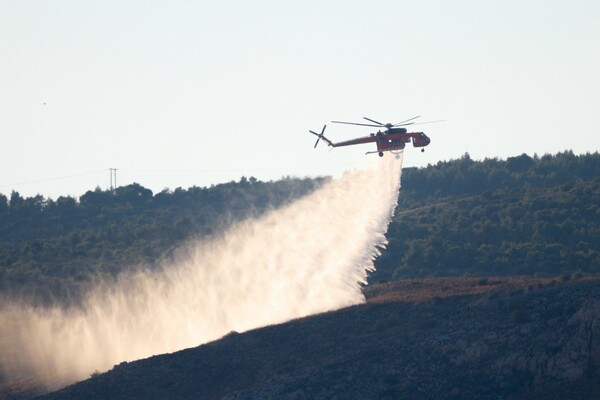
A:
<point x="419" y="339"/>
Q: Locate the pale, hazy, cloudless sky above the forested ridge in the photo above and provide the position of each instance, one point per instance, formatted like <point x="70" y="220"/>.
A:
<point x="182" y="93"/>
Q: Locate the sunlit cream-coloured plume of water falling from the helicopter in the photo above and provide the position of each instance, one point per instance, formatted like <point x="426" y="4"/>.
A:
<point x="308" y="257"/>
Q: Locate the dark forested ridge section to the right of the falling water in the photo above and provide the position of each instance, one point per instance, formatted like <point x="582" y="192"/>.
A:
<point x="520" y="216"/>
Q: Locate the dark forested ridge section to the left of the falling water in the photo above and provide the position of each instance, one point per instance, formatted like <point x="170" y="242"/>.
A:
<point x="53" y="249"/>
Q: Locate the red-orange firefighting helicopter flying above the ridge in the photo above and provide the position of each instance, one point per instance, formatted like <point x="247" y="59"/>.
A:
<point x="393" y="138"/>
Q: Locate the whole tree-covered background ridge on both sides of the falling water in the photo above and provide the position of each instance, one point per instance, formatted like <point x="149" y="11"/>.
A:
<point x="521" y="216"/>
